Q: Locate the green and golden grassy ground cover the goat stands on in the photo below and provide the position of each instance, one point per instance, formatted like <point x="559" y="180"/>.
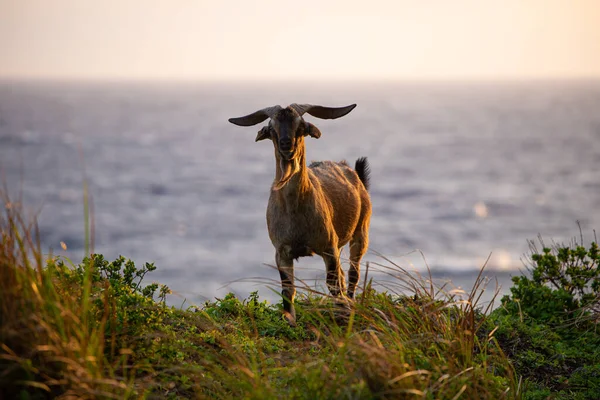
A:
<point x="96" y="330"/>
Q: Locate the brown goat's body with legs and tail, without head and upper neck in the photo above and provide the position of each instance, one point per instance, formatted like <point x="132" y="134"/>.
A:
<point x="321" y="209"/>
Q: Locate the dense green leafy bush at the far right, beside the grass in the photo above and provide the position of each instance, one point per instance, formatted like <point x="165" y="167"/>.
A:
<point x="548" y="324"/>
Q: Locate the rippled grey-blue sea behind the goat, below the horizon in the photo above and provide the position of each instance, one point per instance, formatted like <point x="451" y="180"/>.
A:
<point x="459" y="171"/>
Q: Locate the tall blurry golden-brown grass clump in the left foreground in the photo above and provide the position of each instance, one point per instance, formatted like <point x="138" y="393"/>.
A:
<point x="49" y="345"/>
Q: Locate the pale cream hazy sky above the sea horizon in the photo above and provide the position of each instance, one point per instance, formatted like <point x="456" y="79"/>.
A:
<point x="310" y="39"/>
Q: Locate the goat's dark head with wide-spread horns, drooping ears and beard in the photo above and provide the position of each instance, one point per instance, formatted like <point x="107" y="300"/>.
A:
<point x="287" y="129"/>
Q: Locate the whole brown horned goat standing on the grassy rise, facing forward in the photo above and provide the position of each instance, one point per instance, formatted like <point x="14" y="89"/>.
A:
<point x="316" y="209"/>
